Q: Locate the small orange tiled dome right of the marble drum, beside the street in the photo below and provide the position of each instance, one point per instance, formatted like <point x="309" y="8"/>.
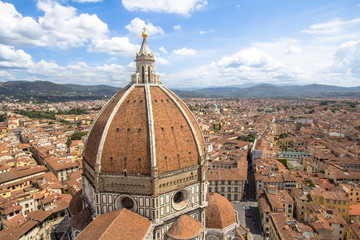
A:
<point x="219" y="212"/>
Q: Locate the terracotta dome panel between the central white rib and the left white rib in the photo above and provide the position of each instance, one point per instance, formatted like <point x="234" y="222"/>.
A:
<point x="127" y="144"/>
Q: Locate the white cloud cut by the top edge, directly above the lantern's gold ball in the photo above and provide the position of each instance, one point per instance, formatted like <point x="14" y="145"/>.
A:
<point x="184" y="7"/>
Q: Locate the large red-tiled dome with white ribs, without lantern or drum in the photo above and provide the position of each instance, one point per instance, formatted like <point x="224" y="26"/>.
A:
<point x="140" y="127"/>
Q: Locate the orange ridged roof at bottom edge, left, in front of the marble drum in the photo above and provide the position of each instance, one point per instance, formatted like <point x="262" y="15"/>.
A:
<point x="121" y="224"/>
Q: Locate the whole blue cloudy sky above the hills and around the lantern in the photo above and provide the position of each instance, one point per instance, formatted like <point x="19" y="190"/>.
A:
<point x="196" y="43"/>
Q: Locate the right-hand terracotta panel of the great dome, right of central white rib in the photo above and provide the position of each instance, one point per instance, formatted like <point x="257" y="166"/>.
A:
<point x="175" y="143"/>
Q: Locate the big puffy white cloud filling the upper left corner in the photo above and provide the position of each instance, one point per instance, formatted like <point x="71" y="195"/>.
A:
<point x="60" y="26"/>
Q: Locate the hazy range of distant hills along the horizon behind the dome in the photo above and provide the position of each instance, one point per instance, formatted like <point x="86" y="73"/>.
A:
<point x="49" y="91"/>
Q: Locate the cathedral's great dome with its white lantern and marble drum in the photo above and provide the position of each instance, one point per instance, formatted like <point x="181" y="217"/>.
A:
<point x="145" y="152"/>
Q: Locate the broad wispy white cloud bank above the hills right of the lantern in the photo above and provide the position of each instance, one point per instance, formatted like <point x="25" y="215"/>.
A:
<point x="312" y="58"/>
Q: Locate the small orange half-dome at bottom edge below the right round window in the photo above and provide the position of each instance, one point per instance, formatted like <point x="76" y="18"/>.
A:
<point x="185" y="227"/>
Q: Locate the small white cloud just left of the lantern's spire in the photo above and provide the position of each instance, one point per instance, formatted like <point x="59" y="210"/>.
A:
<point x="114" y="46"/>
